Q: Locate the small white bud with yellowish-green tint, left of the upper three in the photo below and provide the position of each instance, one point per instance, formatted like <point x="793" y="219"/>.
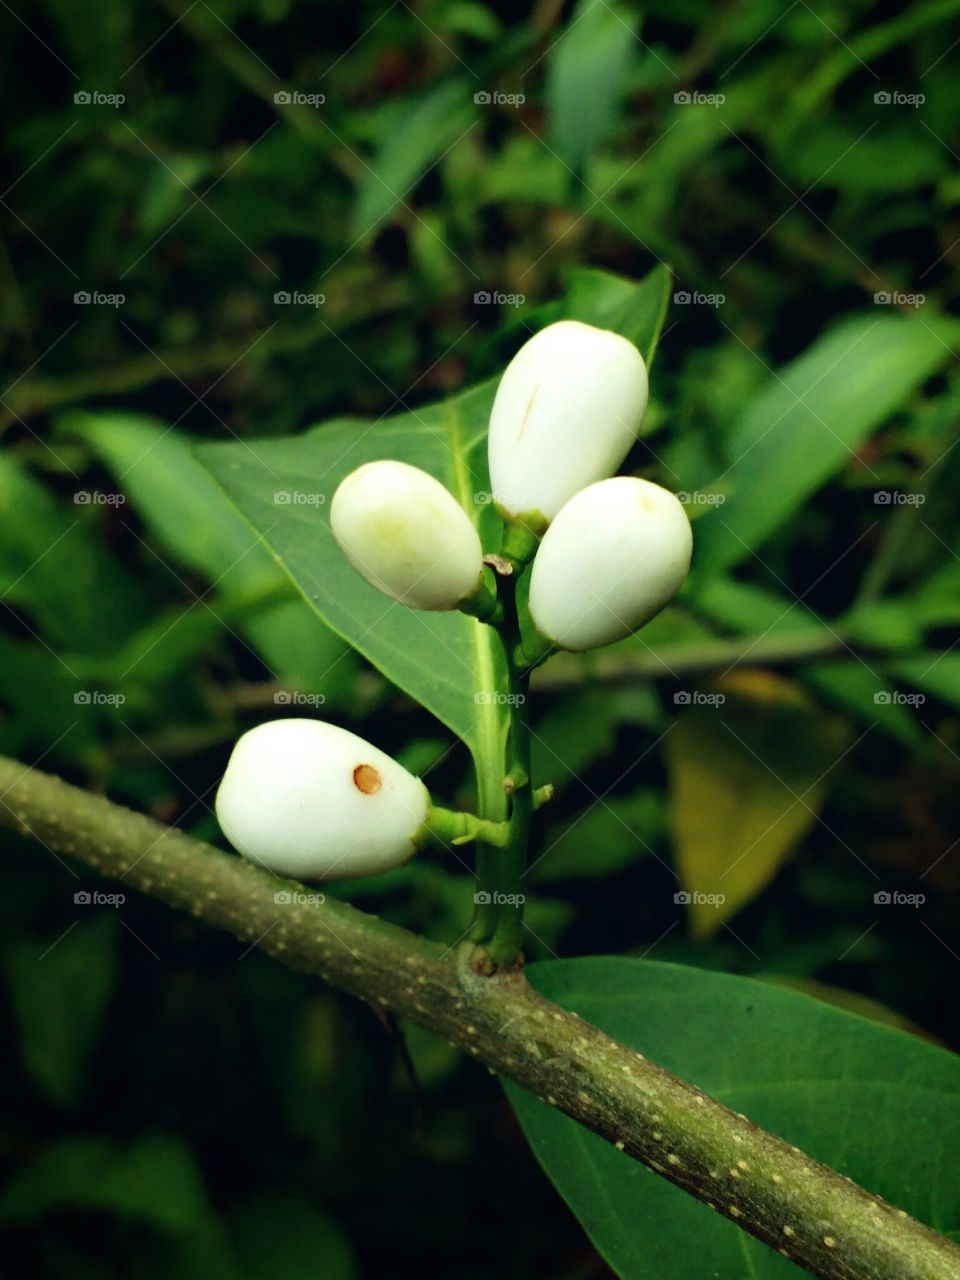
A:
<point x="408" y="536"/>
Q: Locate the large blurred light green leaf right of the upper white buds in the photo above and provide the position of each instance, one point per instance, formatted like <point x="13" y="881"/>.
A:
<point x="808" y="423"/>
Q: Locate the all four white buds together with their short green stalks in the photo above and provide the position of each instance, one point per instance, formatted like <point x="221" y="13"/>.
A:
<point x="310" y="801"/>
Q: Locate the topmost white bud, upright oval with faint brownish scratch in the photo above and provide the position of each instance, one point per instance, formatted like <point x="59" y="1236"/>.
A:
<point x="568" y="410"/>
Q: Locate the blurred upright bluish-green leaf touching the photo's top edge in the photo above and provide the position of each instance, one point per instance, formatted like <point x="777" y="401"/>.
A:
<point x="587" y="75"/>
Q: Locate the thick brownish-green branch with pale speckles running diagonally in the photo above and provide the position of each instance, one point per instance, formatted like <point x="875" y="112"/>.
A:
<point x="820" y="1219"/>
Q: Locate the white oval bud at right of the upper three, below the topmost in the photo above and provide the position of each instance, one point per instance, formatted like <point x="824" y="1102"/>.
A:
<point x="611" y="560"/>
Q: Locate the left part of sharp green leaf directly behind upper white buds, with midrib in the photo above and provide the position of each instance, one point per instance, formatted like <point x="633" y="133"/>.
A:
<point x="449" y="662"/>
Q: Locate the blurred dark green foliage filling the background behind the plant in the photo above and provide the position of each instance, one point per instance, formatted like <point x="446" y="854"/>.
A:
<point x="179" y="1105"/>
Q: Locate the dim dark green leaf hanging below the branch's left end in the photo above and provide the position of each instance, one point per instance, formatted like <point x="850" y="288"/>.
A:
<point x="61" y="991"/>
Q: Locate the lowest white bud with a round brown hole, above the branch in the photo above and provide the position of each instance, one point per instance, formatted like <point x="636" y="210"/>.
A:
<point x="313" y="802"/>
